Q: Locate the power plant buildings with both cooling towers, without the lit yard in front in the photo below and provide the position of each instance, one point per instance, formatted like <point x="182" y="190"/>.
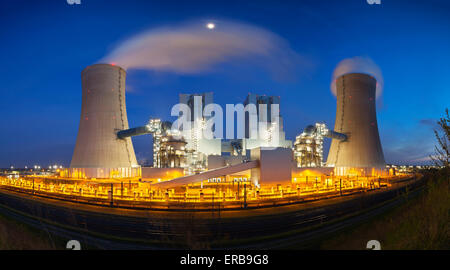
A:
<point x="104" y="149"/>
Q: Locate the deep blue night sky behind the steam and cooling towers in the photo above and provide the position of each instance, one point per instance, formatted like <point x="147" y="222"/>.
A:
<point x="45" y="45"/>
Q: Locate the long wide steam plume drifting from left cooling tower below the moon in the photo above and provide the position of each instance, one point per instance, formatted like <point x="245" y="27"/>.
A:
<point x="196" y="48"/>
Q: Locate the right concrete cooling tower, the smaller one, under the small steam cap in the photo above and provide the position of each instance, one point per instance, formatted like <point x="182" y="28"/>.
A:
<point x="356" y="117"/>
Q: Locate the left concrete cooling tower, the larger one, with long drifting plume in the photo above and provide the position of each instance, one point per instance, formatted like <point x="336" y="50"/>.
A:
<point x="98" y="152"/>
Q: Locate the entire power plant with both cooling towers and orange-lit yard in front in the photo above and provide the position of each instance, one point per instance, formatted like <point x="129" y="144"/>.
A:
<point x="208" y="159"/>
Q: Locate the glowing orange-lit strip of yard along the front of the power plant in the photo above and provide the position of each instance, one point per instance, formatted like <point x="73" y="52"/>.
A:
<point x="127" y="192"/>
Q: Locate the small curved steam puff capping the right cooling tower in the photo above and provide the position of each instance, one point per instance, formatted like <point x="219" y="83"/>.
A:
<point x="360" y="65"/>
